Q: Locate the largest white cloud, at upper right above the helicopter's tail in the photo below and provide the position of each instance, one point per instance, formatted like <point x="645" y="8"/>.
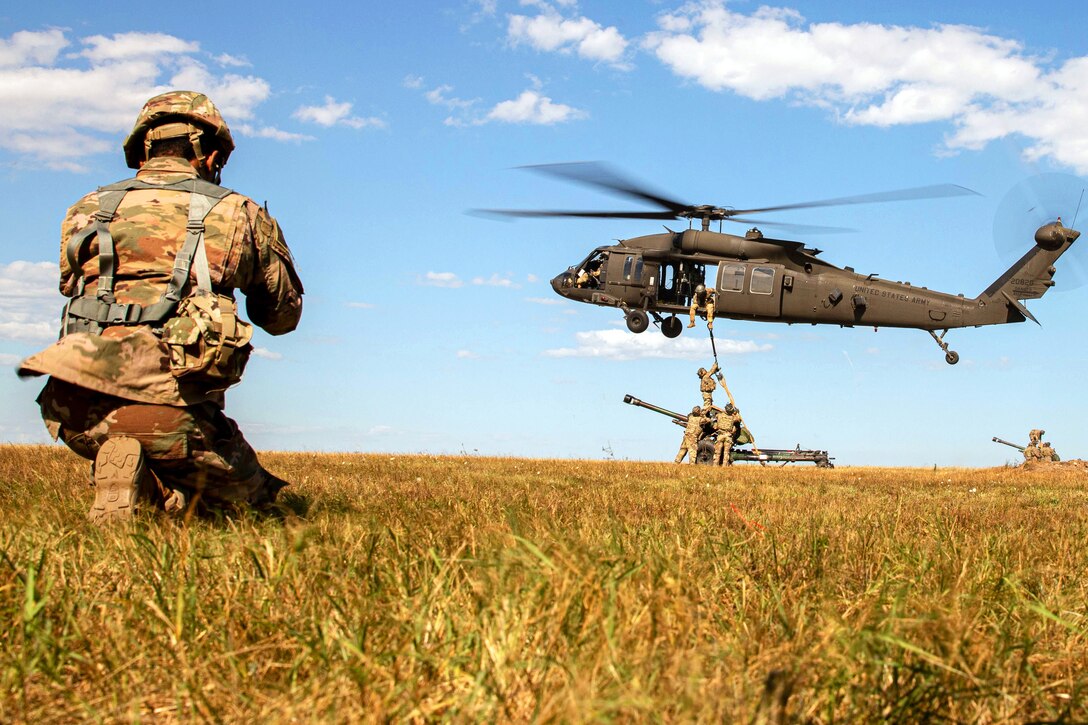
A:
<point x="987" y="88"/>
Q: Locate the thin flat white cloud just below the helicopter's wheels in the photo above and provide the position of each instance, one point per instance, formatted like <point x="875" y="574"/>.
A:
<point x="624" y="346"/>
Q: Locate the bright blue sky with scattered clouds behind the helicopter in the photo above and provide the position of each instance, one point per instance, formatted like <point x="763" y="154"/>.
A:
<point x="372" y="129"/>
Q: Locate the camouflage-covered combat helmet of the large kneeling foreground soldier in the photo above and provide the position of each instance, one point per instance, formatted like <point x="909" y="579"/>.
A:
<point x="176" y="115"/>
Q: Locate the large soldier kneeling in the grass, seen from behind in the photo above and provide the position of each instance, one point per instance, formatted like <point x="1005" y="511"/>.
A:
<point x="151" y="337"/>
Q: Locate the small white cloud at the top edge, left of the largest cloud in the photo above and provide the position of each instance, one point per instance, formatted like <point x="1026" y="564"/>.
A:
<point x="551" y="32"/>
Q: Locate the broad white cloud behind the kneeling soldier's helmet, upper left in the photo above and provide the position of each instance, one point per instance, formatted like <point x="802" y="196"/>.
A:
<point x="67" y="100"/>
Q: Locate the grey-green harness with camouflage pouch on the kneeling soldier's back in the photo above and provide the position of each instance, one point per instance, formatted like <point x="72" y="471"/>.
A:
<point x="206" y="338"/>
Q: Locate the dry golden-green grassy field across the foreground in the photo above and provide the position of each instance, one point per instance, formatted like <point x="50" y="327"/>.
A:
<point x="418" y="588"/>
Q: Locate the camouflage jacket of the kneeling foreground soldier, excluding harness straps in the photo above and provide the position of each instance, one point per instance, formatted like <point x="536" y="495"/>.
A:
<point x="245" y="249"/>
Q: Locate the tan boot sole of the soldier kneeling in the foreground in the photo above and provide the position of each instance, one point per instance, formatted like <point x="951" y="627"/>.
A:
<point x="121" y="481"/>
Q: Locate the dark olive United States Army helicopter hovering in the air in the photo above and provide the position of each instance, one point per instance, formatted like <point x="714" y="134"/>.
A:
<point x="755" y="277"/>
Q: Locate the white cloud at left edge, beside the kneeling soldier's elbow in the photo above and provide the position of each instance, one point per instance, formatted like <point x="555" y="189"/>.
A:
<point x="30" y="302"/>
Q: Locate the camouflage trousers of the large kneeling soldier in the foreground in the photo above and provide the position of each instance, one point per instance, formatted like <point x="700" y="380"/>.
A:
<point x="195" y="449"/>
